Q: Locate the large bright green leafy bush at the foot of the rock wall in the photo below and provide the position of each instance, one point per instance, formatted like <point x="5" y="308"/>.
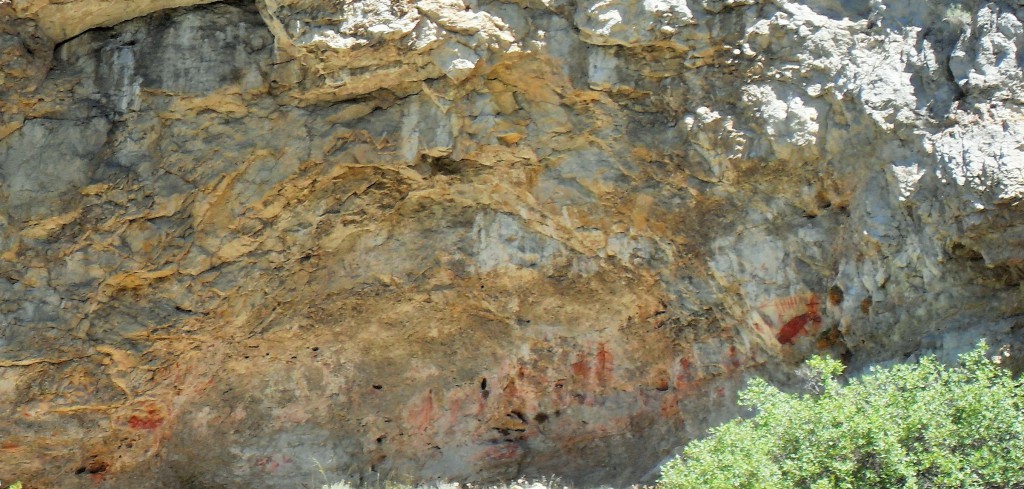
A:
<point x="914" y="426"/>
